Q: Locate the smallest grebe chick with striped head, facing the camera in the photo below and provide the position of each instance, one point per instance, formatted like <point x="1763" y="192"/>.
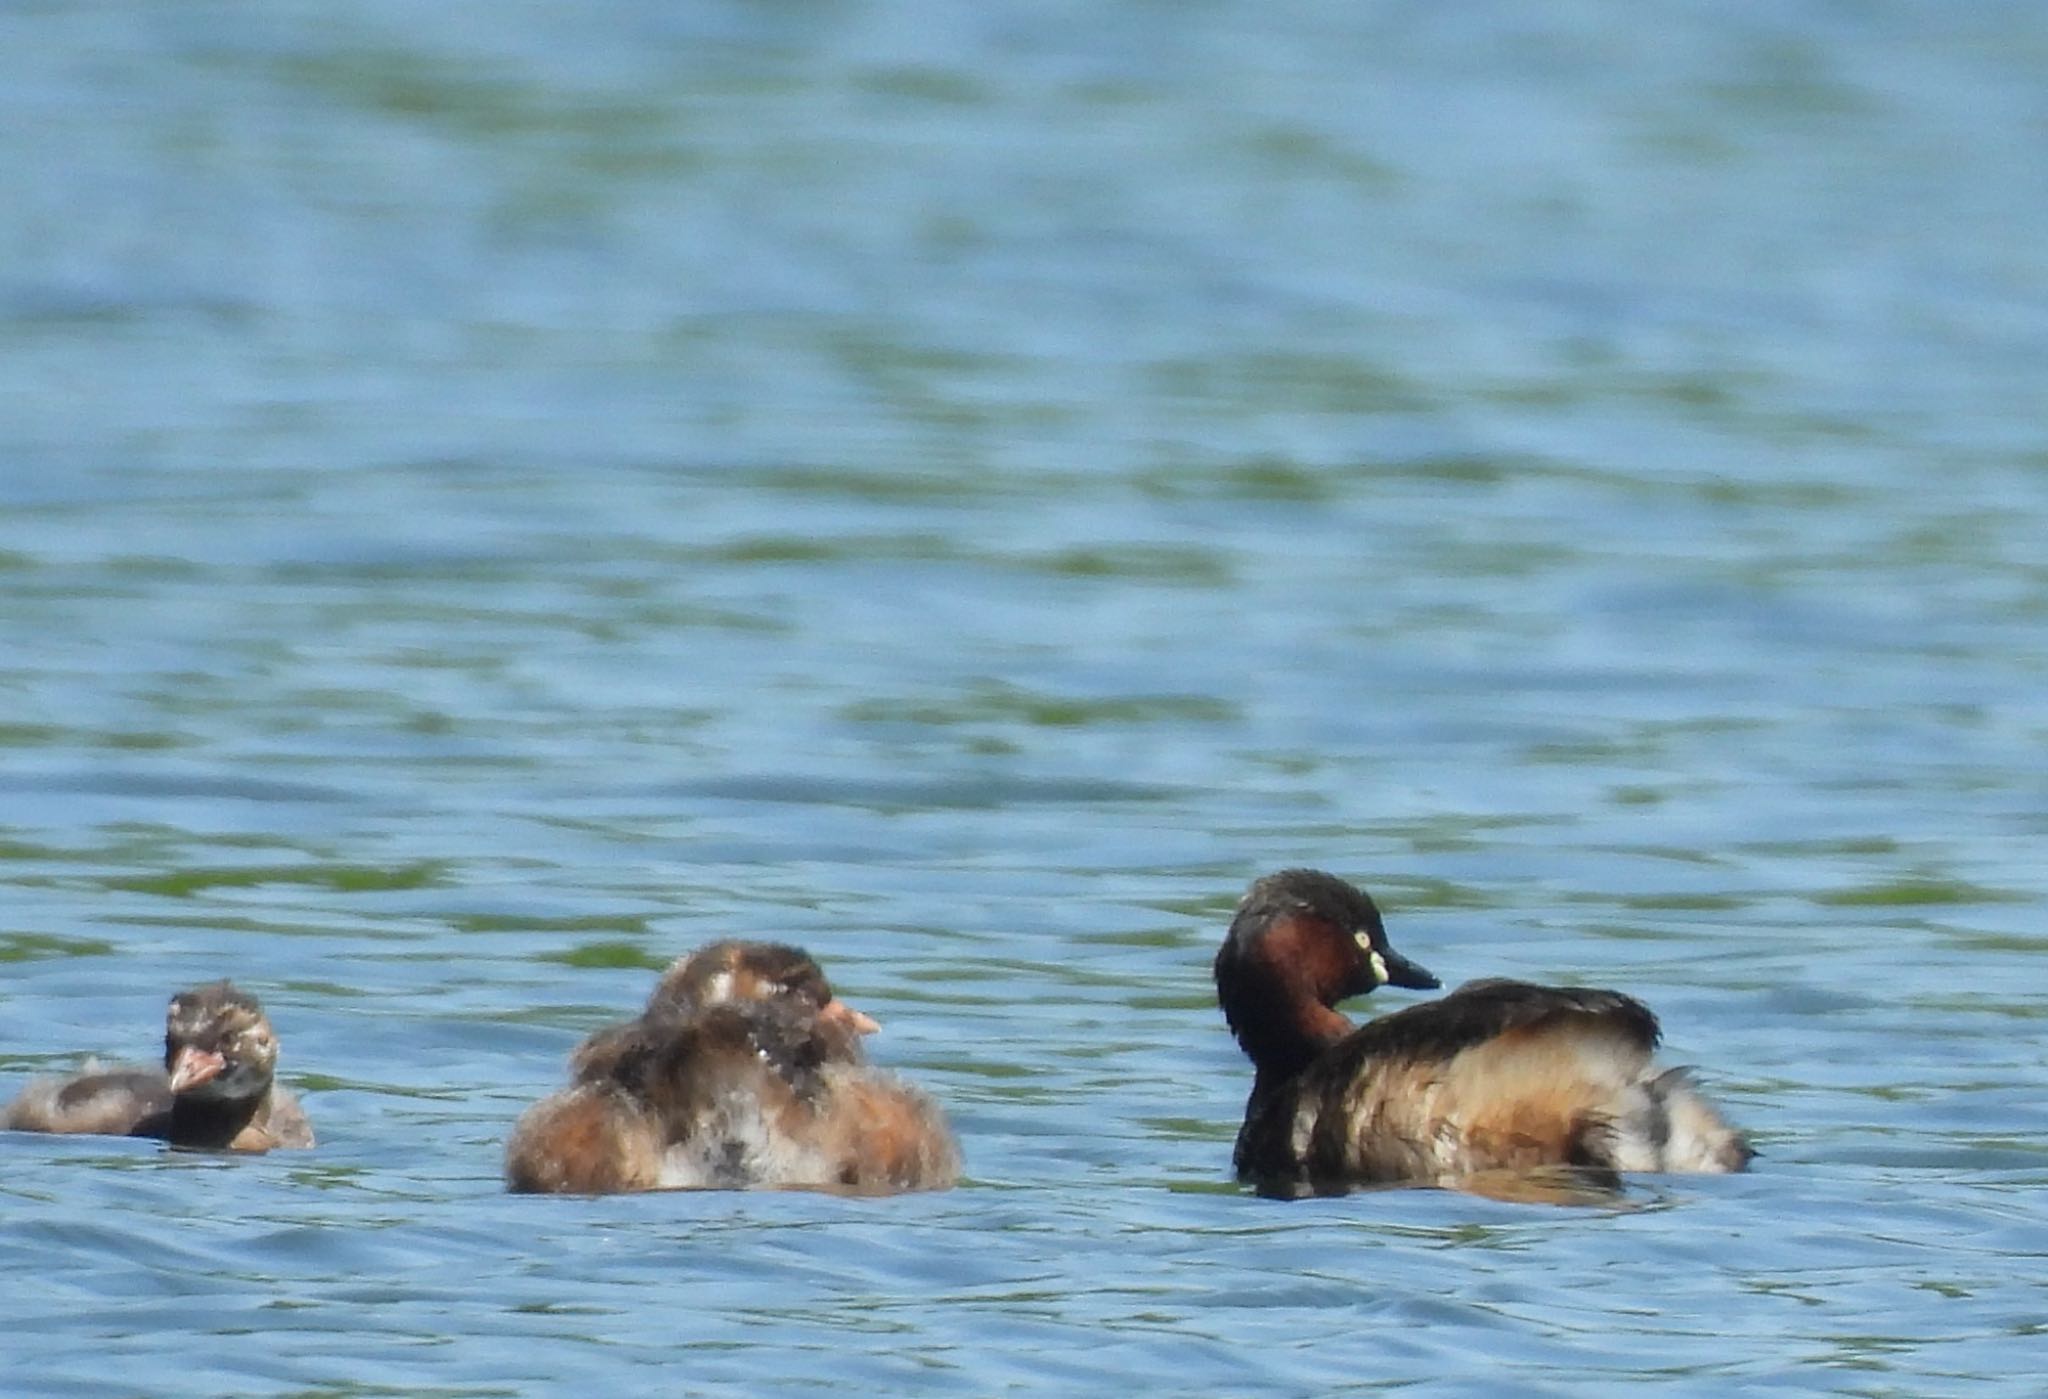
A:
<point x="216" y="1091"/>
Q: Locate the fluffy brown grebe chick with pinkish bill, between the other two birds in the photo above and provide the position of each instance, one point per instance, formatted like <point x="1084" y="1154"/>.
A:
<point x="742" y="1072"/>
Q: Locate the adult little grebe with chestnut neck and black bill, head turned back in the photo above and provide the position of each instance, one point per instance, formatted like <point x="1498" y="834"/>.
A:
<point x="1498" y="1076"/>
